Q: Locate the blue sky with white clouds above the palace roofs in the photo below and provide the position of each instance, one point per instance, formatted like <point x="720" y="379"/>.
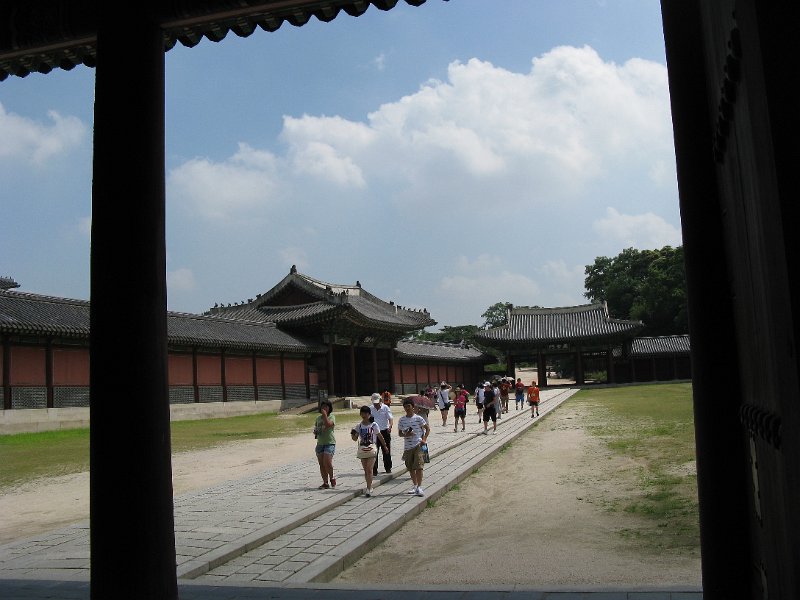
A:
<point x="447" y="157"/>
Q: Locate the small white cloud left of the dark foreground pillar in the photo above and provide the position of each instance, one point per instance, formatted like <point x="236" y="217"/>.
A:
<point x="27" y="140"/>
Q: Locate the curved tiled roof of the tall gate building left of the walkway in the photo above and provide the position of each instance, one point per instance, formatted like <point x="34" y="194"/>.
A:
<point x="347" y="302"/>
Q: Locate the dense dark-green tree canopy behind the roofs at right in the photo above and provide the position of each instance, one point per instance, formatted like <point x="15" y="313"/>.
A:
<point x="642" y="285"/>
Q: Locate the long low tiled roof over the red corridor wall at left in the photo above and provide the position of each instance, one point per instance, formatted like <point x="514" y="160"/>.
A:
<point x="33" y="314"/>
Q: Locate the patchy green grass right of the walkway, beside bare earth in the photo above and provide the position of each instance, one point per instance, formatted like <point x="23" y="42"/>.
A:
<point x="653" y="427"/>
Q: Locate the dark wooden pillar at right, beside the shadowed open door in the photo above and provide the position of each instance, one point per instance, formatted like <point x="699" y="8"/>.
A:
<point x="721" y="460"/>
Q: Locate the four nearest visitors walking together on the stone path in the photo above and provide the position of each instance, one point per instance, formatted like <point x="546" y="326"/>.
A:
<point x="374" y="431"/>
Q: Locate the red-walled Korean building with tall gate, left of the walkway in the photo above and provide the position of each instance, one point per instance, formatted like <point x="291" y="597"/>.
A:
<point x="302" y="340"/>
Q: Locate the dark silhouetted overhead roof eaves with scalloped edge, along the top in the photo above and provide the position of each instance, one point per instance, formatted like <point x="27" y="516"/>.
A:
<point x="42" y="35"/>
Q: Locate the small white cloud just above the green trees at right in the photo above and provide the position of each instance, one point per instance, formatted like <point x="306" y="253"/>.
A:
<point x="637" y="231"/>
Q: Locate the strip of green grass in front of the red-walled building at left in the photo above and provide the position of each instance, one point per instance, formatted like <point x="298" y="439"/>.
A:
<point x="28" y="456"/>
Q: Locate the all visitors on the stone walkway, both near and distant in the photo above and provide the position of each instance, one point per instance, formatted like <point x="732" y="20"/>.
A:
<point x="374" y="431"/>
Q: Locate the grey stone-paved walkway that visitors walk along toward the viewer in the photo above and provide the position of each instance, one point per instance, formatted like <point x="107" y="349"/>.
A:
<point x="277" y="528"/>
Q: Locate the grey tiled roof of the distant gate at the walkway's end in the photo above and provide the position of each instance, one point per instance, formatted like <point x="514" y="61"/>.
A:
<point x="557" y="325"/>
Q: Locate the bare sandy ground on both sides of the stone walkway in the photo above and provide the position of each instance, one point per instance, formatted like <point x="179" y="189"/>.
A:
<point x="531" y="516"/>
